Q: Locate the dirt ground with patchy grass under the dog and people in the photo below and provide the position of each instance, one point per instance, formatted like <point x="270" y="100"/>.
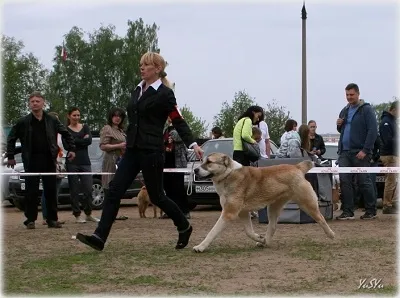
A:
<point x="140" y="259"/>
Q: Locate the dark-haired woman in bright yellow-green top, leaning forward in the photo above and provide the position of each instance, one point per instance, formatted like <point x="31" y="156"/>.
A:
<point x="242" y="133"/>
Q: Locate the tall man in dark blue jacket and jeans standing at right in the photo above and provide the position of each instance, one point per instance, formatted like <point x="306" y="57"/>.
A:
<point x="358" y="132"/>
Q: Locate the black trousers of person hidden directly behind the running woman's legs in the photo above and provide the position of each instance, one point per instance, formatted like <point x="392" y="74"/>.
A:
<point x="174" y="186"/>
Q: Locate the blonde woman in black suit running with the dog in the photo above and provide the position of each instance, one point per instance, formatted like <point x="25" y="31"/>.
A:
<point x="151" y="102"/>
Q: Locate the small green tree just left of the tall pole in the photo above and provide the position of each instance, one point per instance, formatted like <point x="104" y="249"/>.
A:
<point x="275" y="117"/>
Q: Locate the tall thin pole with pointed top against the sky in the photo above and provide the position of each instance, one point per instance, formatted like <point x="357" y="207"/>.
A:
<point x="303" y="66"/>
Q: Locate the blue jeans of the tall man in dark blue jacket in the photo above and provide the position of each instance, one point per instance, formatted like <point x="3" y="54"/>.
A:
<point x="349" y="159"/>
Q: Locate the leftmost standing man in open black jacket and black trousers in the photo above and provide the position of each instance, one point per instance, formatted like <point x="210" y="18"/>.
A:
<point x="37" y="133"/>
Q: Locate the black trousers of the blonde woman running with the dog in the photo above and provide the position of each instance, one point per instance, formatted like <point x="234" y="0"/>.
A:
<point x="151" y="163"/>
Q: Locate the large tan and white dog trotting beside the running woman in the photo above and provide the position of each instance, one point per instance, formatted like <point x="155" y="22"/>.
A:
<point x="271" y="186"/>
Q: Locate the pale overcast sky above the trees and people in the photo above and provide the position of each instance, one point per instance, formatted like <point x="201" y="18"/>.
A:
<point x="215" y="50"/>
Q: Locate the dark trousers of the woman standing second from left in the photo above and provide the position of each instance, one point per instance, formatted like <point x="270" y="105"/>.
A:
<point x="80" y="183"/>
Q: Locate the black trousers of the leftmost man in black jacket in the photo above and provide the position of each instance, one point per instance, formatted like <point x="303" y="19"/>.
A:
<point x="44" y="164"/>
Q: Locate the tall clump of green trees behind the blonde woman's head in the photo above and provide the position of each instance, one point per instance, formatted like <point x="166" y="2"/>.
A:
<point x="101" y="69"/>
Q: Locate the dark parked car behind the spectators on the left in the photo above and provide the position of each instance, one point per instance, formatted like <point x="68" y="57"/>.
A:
<point x="16" y="184"/>
